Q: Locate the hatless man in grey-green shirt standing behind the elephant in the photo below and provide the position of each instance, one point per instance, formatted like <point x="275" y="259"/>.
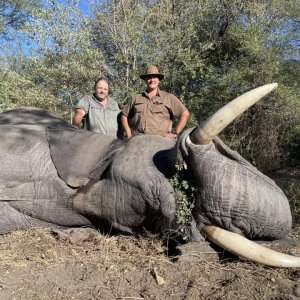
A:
<point x="100" y="112"/>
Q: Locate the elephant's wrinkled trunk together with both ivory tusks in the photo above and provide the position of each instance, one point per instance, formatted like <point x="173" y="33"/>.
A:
<point x="233" y="194"/>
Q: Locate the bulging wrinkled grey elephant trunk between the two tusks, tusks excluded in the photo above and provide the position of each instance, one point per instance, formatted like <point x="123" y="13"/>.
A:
<point x="234" y="195"/>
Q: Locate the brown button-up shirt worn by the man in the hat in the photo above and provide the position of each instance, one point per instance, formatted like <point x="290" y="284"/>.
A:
<point x="153" y="116"/>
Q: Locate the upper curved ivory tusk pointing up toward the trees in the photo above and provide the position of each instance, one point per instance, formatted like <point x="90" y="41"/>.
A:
<point x="205" y="133"/>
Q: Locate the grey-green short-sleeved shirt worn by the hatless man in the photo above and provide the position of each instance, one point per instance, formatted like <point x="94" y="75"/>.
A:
<point x="98" y="118"/>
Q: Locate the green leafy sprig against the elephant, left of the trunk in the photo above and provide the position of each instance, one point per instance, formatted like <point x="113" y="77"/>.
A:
<point x="184" y="194"/>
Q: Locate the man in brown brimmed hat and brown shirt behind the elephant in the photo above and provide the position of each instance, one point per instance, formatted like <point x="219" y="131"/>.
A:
<point x="153" y="111"/>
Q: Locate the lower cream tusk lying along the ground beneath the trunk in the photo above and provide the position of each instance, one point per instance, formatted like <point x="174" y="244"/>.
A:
<point x="240" y="246"/>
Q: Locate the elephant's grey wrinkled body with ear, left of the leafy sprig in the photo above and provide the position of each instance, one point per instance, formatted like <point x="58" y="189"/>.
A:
<point x="45" y="170"/>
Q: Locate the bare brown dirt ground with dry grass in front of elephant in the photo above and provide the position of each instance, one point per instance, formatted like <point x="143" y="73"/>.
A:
<point x="84" y="264"/>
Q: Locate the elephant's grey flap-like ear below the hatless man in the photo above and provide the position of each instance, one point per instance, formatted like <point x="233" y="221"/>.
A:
<point x="75" y="153"/>
